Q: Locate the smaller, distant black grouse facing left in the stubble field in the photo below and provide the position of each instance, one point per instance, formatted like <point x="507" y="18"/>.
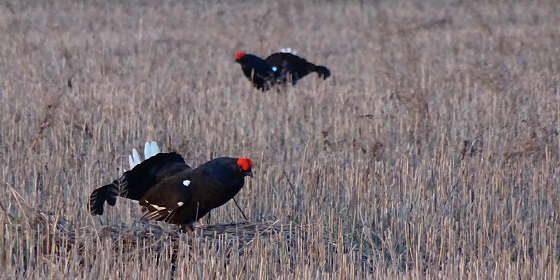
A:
<point x="279" y="68"/>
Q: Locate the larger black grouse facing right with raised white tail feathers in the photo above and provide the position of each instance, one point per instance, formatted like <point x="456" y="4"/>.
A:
<point x="170" y="190"/>
